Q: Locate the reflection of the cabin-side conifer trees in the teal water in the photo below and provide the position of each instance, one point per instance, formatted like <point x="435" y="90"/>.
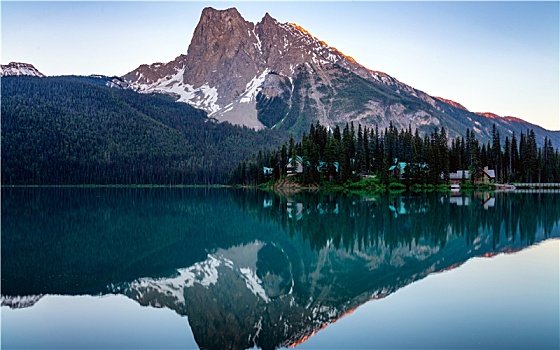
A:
<point x="392" y="221"/>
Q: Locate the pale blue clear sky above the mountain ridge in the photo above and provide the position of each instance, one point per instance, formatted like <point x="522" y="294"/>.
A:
<point x="499" y="57"/>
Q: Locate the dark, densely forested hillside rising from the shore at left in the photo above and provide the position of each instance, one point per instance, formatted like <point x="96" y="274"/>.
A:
<point x="75" y="130"/>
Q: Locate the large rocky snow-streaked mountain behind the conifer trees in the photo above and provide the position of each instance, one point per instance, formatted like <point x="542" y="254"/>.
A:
<point x="278" y="75"/>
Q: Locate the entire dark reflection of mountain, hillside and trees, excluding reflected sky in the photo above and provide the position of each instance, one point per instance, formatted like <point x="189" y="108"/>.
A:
<point x="251" y="268"/>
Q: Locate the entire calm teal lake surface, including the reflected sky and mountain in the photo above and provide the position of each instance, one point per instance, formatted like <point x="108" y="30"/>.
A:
<point x="187" y="268"/>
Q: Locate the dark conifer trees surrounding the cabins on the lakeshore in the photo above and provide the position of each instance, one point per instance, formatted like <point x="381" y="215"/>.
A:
<point x="372" y="151"/>
